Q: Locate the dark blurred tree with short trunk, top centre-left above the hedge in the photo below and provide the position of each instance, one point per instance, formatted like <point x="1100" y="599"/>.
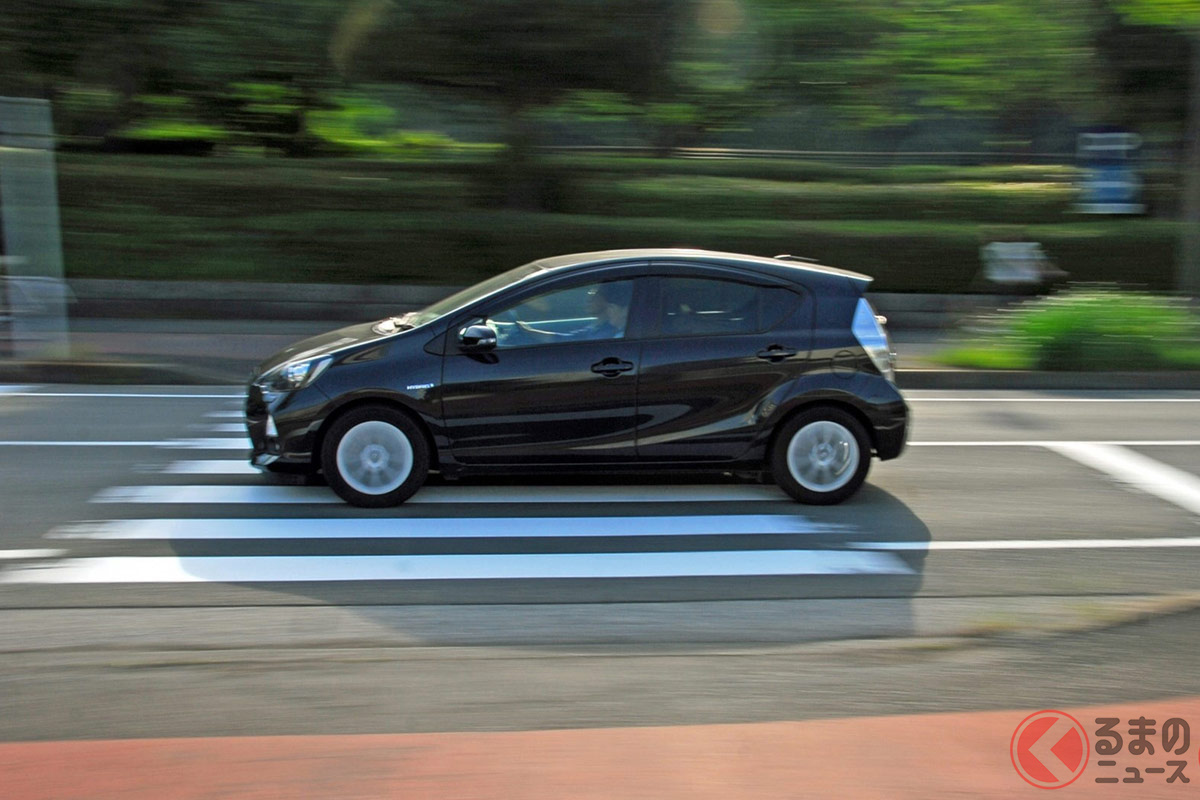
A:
<point x="518" y="56"/>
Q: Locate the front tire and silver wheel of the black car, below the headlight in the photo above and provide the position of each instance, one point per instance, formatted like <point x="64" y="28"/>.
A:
<point x="375" y="458"/>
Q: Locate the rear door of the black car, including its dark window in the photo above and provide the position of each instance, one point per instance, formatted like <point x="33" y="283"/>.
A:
<point x="722" y="350"/>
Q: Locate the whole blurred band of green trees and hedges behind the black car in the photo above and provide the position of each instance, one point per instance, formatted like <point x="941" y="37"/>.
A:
<point x="431" y="142"/>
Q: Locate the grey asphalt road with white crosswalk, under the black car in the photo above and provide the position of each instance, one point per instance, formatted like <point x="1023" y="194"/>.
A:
<point x="151" y="586"/>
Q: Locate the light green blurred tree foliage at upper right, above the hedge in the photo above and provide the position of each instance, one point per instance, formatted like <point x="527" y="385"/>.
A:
<point x="891" y="63"/>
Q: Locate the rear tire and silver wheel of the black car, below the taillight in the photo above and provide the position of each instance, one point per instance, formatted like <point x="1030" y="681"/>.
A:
<point x="821" y="456"/>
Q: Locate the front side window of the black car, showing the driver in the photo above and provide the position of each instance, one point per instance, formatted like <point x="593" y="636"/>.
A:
<point x="585" y="314"/>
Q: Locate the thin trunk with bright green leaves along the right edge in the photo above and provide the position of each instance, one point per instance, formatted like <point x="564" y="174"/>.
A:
<point x="1184" y="15"/>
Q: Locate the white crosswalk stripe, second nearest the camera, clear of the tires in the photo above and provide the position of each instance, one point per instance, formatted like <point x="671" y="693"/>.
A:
<point x="446" y="528"/>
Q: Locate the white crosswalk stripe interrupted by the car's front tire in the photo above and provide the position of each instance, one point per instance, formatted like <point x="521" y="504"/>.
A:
<point x="268" y="494"/>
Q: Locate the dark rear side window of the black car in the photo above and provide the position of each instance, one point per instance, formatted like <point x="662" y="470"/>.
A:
<point x="709" y="306"/>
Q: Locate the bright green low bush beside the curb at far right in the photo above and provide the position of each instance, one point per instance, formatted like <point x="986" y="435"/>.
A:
<point x="1087" y="329"/>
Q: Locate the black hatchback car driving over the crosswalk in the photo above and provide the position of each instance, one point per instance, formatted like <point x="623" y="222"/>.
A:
<point x="613" y="362"/>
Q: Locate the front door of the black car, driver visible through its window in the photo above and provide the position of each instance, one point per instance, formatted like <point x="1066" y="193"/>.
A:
<point x="561" y="384"/>
